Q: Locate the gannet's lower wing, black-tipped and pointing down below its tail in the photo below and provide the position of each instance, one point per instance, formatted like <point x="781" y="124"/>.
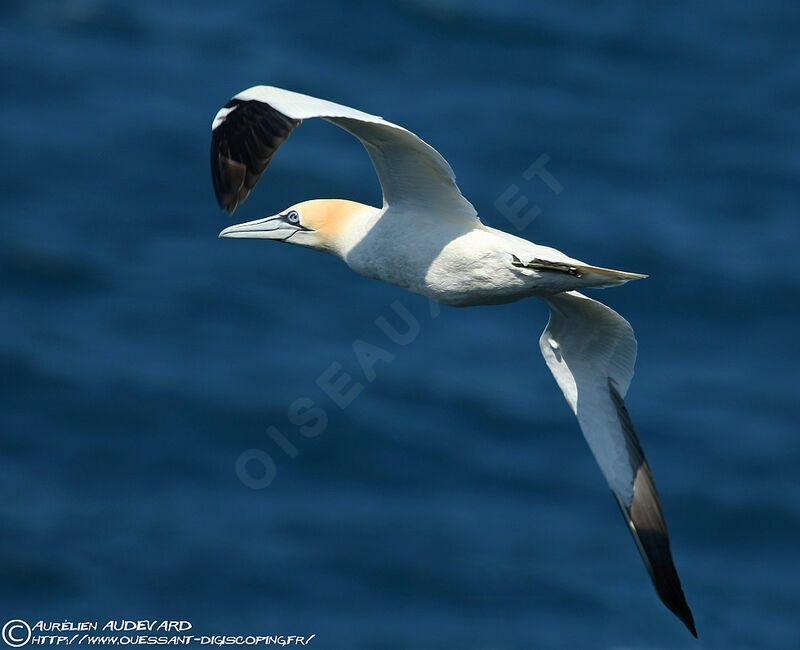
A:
<point x="591" y="350"/>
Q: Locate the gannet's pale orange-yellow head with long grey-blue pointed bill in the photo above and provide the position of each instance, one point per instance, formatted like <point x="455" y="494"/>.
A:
<point x="322" y="224"/>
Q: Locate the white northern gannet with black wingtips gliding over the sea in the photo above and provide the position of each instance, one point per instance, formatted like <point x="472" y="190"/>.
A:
<point x="427" y="238"/>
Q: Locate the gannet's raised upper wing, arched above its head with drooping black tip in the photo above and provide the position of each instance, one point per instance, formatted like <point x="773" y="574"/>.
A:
<point x="248" y="130"/>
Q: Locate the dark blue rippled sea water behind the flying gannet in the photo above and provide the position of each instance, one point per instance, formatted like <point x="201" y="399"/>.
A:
<point x="453" y="503"/>
